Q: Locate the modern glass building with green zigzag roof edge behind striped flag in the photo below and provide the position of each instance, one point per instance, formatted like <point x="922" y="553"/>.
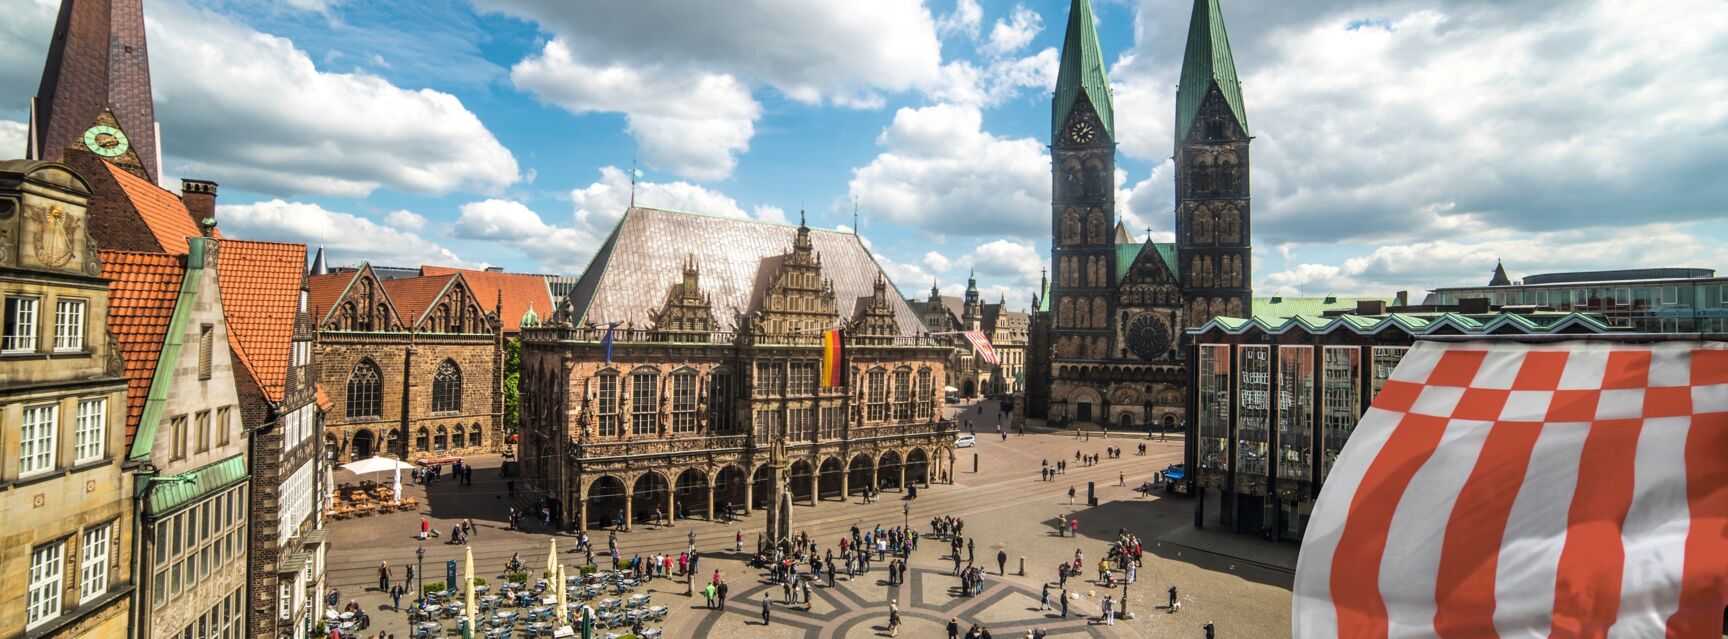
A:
<point x="1278" y="398"/>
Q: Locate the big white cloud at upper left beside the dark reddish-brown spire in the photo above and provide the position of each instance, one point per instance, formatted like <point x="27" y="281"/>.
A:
<point x="253" y="111"/>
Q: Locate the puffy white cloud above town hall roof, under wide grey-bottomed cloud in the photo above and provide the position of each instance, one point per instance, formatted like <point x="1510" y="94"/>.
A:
<point x="689" y="123"/>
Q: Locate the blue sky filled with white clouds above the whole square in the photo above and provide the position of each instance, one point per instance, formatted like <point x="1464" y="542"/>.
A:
<point x="1399" y="144"/>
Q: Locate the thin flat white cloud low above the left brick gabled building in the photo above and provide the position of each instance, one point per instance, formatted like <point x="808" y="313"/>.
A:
<point x="348" y="239"/>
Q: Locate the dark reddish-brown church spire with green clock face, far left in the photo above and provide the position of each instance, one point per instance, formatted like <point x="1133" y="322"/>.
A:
<point x="96" y="89"/>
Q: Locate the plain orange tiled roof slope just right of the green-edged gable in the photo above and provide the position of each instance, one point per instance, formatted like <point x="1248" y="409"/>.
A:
<point x="260" y="294"/>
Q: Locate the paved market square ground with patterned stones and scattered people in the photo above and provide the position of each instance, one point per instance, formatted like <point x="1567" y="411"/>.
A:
<point x="1005" y="507"/>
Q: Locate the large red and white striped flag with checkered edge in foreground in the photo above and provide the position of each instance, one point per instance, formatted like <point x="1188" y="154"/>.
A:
<point x="1518" y="491"/>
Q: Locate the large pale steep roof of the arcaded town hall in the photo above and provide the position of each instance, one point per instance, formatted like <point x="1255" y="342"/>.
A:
<point x="645" y="255"/>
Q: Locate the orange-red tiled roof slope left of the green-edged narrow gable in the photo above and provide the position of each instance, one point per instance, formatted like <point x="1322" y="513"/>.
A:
<point x="143" y="294"/>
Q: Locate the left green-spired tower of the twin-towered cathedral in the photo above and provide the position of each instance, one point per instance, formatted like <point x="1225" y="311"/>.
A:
<point x="1083" y="198"/>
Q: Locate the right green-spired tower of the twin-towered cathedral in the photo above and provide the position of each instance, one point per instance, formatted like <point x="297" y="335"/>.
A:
<point x="1212" y="175"/>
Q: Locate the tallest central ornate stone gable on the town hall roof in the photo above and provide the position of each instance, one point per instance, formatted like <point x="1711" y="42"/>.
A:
<point x="801" y="300"/>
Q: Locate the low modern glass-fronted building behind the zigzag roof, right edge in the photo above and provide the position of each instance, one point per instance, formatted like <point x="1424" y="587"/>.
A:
<point x="1648" y="301"/>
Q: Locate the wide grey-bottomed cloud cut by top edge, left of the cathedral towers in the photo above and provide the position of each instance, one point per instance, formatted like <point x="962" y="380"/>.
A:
<point x="810" y="51"/>
